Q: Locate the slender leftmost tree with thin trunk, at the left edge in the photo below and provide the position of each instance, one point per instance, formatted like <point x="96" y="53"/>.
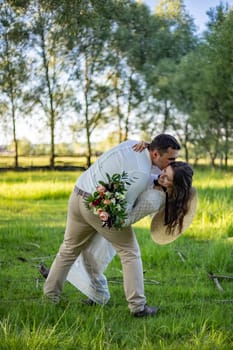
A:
<point x="14" y="72"/>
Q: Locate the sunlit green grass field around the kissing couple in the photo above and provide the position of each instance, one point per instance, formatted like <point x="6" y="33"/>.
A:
<point x="194" y="312"/>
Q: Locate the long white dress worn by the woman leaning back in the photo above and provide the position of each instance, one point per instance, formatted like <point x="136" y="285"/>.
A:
<point x="86" y="273"/>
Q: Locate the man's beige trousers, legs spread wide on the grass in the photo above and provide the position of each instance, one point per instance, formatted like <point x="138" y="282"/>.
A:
<point x="81" y="226"/>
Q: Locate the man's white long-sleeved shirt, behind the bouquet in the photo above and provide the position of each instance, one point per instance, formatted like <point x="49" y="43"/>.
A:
<point x="118" y="159"/>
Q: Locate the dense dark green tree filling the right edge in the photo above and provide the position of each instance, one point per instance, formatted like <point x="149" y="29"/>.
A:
<point x="212" y="92"/>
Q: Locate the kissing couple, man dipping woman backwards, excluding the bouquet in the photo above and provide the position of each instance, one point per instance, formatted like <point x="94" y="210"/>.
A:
<point x="160" y="186"/>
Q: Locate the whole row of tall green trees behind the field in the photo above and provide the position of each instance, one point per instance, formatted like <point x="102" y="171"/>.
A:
<point x="80" y="66"/>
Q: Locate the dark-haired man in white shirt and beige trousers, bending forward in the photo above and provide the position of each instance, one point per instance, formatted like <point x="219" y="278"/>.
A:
<point x="82" y="224"/>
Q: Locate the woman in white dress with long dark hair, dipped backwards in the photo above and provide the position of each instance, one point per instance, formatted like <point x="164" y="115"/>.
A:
<point x="171" y="190"/>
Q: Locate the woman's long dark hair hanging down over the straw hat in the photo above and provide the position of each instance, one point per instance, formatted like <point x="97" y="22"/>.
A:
<point x="177" y="200"/>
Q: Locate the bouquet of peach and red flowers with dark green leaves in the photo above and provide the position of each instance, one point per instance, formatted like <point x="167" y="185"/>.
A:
<point x="108" y="201"/>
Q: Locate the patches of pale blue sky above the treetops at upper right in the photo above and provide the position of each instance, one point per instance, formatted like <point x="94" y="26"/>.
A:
<point x="196" y="8"/>
